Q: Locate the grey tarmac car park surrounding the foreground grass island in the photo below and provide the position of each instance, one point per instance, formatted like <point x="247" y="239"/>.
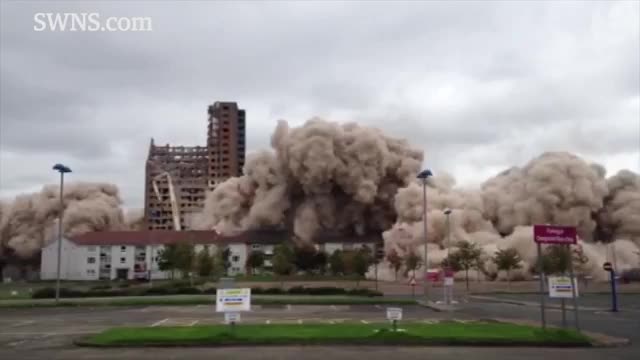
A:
<point x="48" y="333"/>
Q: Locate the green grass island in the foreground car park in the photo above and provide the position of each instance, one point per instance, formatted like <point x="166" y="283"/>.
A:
<point x="447" y="333"/>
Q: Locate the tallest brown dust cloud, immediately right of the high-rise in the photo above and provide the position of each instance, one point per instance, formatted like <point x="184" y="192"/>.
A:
<point x="322" y="175"/>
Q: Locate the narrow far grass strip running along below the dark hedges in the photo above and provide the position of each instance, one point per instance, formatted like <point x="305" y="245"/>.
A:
<point x="205" y="299"/>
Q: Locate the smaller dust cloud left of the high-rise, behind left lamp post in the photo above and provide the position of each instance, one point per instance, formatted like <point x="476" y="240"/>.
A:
<point x="28" y="222"/>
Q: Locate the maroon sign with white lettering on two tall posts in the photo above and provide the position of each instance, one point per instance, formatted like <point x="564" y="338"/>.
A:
<point x="560" y="235"/>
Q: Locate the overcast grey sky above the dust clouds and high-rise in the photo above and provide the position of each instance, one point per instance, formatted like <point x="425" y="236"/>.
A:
<point x="479" y="86"/>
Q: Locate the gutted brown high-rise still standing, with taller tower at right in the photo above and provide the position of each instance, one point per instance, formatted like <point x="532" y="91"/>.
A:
<point x="192" y="170"/>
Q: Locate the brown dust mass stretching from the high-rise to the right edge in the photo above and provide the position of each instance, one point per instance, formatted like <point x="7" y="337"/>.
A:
<point x="325" y="176"/>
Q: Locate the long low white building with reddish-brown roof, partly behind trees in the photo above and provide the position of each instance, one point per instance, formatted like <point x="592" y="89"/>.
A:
<point x="134" y="254"/>
